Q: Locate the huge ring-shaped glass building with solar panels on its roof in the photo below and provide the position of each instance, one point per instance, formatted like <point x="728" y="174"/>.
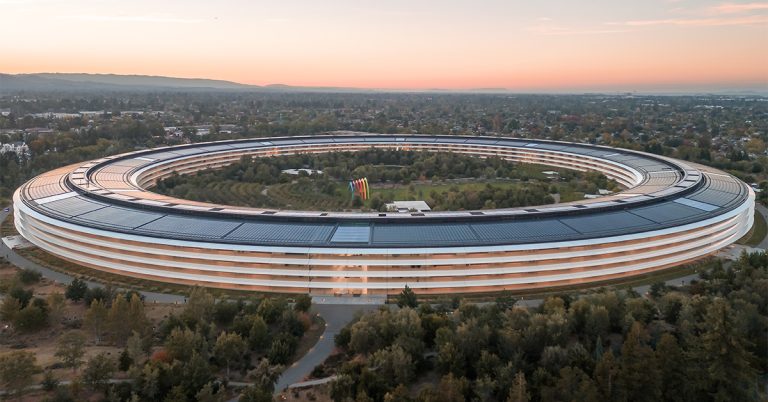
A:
<point x="102" y="214"/>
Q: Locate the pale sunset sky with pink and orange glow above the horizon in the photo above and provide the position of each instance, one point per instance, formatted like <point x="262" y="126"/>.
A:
<point x="540" y="45"/>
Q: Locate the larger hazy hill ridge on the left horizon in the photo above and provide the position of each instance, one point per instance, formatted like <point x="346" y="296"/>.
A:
<point x="73" y="82"/>
